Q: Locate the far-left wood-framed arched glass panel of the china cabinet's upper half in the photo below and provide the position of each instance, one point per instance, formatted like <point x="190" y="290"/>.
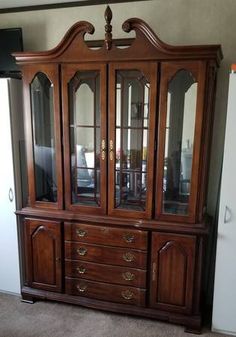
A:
<point x="43" y="142"/>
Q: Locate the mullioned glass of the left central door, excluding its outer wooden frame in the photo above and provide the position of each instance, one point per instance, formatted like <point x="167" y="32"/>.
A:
<point x="84" y="105"/>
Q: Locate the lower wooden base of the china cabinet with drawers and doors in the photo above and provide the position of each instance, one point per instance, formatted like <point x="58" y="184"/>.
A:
<point x="119" y="268"/>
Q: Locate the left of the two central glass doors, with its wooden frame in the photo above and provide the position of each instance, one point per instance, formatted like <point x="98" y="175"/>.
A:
<point x="84" y="110"/>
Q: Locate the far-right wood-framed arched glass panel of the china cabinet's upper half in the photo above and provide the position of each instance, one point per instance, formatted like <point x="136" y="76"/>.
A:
<point x="181" y="113"/>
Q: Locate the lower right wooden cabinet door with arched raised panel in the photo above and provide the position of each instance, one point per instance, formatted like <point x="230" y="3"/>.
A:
<point x="172" y="272"/>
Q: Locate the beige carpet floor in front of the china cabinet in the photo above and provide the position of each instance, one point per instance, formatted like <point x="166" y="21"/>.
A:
<point x="50" y="319"/>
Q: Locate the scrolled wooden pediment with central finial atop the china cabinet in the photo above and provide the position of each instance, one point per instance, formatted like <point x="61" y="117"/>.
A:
<point x="146" y="46"/>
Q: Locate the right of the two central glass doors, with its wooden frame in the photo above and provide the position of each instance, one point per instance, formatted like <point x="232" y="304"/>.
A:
<point x="132" y="93"/>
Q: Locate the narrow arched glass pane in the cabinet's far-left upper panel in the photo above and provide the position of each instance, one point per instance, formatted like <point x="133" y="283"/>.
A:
<point x="41" y="91"/>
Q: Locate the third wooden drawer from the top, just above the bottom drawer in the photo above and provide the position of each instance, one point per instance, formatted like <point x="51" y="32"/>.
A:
<point x="106" y="273"/>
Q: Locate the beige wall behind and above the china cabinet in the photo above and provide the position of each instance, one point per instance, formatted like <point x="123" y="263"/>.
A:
<point x="175" y="22"/>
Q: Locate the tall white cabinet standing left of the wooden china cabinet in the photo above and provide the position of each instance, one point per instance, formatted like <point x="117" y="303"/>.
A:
<point x="9" y="256"/>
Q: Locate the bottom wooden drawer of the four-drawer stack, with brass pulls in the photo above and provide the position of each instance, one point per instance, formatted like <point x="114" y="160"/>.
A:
<point x="106" y="291"/>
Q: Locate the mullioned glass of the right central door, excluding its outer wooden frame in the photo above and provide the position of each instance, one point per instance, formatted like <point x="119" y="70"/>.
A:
<point x="132" y="120"/>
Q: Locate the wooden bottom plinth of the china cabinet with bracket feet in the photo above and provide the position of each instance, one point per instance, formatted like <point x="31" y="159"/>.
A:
<point x="192" y="323"/>
